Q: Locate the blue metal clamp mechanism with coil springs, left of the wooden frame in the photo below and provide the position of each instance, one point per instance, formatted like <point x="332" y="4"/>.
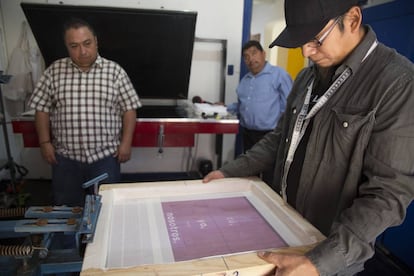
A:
<point x="41" y="240"/>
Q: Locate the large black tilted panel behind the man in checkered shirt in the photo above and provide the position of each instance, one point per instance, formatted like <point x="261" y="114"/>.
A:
<point x="154" y="47"/>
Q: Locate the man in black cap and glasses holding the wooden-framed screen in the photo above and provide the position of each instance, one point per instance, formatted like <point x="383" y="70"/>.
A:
<point x="344" y="148"/>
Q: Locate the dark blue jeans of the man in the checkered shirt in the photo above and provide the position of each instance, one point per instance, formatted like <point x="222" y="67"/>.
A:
<point x="68" y="176"/>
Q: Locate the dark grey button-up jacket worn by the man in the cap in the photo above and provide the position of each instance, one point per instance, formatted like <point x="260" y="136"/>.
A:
<point x="358" y="173"/>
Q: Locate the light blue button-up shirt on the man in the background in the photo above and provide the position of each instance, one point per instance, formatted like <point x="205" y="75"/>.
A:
<point x="262" y="98"/>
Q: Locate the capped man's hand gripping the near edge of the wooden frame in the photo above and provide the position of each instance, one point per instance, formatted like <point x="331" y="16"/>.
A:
<point x="290" y="264"/>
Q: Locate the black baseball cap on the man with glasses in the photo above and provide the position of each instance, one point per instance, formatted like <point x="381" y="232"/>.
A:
<point x="306" y="18"/>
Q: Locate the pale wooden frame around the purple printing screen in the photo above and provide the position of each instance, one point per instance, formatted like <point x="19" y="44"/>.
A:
<point x="240" y="263"/>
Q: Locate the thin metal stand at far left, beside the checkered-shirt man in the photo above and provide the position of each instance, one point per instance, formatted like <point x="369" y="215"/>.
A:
<point x="10" y="164"/>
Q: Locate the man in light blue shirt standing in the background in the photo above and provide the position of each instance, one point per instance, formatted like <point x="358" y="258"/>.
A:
<point x="261" y="96"/>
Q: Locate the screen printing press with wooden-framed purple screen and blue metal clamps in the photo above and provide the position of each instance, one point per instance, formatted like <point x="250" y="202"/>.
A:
<point x="172" y="228"/>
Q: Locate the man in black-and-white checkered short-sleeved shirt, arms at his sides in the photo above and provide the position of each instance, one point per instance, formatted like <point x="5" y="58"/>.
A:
<point x="85" y="115"/>
